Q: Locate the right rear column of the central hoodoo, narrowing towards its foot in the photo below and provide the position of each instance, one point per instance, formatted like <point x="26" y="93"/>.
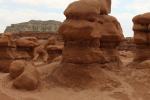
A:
<point x="110" y="38"/>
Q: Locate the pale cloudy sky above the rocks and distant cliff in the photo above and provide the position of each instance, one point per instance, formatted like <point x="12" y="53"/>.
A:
<point x="16" y="11"/>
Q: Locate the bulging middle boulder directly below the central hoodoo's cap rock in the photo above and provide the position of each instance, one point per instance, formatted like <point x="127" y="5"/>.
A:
<point x="84" y="28"/>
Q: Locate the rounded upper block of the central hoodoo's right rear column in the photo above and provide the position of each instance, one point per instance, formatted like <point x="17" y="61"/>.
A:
<point x="110" y="34"/>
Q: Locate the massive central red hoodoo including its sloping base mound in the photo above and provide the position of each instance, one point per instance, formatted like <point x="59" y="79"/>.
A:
<point x="89" y="44"/>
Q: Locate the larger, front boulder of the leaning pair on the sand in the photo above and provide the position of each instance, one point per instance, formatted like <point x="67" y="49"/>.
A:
<point x="28" y="80"/>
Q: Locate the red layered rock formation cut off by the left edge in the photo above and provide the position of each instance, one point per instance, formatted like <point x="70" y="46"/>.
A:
<point x="6" y="52"/>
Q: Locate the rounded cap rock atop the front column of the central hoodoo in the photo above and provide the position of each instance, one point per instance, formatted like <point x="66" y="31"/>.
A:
<point x="82" y="9"/>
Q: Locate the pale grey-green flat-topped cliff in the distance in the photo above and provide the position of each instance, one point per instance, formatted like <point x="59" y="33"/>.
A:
<point x="34" y="26"/>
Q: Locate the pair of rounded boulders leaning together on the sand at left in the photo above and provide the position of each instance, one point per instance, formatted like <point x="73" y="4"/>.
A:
<point x="25" y="75"/>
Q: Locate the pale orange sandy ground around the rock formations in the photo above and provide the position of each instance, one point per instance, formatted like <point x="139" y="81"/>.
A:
<point x="134" y="85"/>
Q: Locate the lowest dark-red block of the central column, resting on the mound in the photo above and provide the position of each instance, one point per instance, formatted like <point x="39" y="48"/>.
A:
<point x="83" y="55"/>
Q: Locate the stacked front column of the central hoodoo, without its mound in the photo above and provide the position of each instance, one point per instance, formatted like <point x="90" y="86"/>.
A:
<point x="81" y="34"/>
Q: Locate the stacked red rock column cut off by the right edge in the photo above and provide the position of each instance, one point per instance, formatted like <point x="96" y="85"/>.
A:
<point x="142" y="36"/>
